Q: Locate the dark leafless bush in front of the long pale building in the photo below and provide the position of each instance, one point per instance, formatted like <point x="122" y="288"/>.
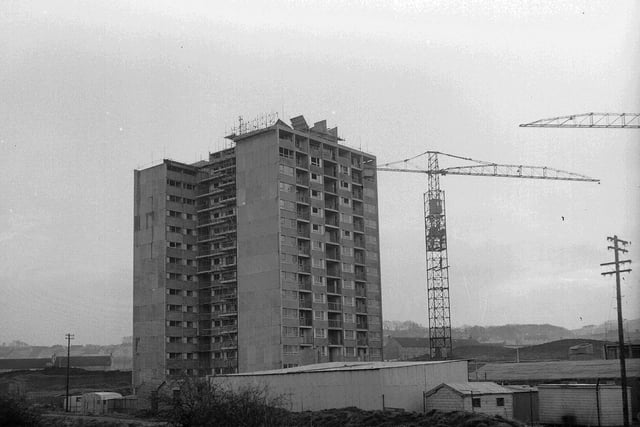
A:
<point x="200" y="403"/>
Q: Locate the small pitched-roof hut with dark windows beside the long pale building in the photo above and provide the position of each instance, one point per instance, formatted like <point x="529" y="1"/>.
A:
<point x="485" y="397"/>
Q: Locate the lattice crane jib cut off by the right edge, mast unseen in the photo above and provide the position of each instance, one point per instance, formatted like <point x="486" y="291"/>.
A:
<point x="589" y="120"/>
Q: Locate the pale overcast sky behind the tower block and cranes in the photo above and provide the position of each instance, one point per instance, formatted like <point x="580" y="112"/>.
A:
<point x="90" y="91"/>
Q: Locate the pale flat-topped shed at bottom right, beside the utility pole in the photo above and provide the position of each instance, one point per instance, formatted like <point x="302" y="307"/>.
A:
<point x="581" y="404"/>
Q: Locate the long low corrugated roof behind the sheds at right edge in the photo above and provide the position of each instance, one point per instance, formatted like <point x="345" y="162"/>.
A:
<point x="559" y="370"/>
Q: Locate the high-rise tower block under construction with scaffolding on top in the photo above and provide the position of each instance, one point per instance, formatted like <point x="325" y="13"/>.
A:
<point x="262" y="257"/>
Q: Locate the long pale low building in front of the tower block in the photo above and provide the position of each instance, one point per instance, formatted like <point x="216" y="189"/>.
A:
<point x="365" y="385"/>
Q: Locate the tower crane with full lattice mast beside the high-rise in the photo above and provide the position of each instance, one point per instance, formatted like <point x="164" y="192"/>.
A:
<point x="436" y="231"/>
